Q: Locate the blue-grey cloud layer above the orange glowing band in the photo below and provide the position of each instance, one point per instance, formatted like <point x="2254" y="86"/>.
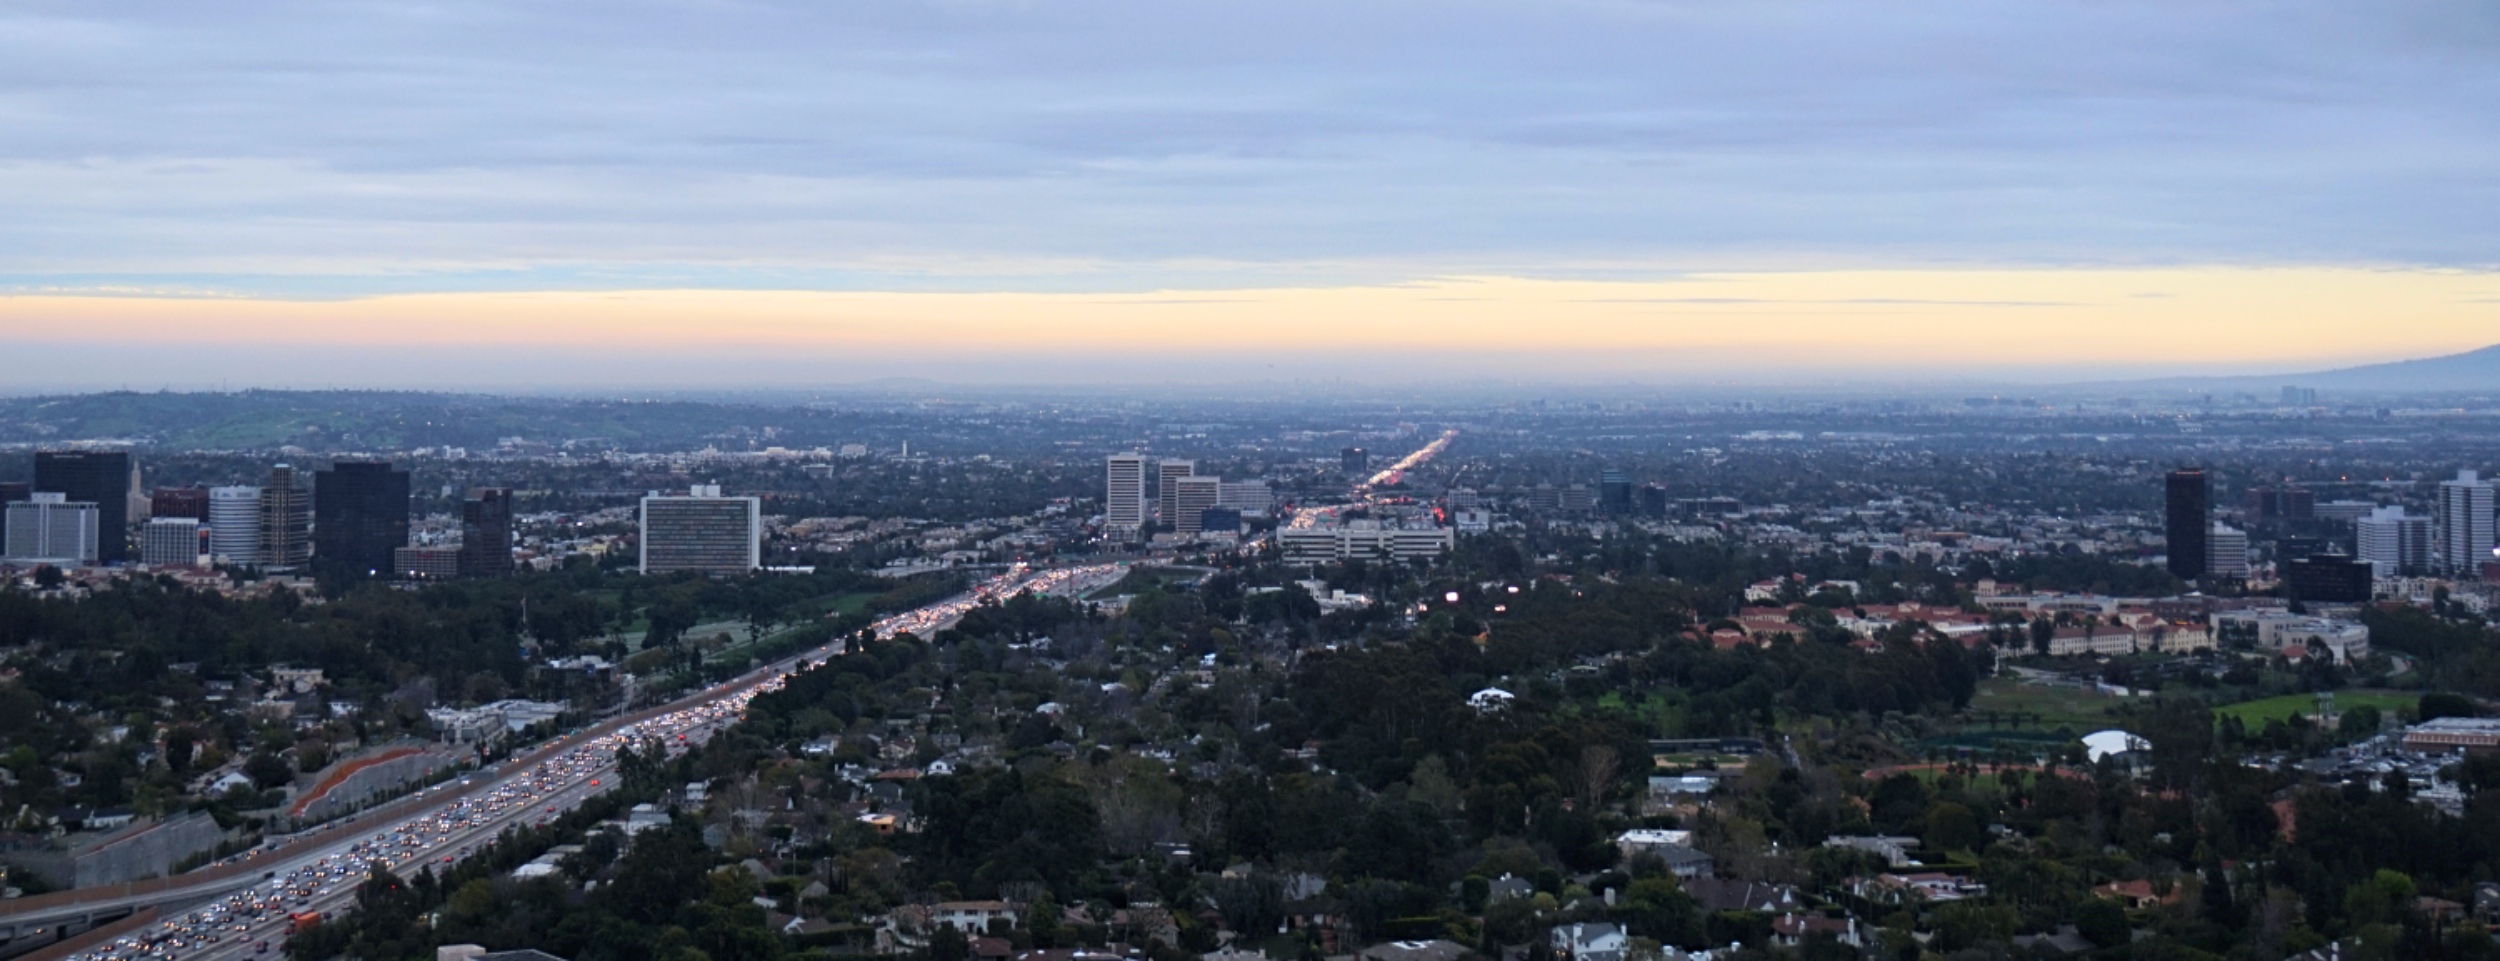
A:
<point x="351" y="149"/>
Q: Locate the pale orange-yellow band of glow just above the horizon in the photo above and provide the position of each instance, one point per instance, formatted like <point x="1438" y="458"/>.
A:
<point x="1861" y="319"/>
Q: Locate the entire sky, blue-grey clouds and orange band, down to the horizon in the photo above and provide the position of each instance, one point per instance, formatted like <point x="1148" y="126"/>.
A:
<point x="1074" y="191"/>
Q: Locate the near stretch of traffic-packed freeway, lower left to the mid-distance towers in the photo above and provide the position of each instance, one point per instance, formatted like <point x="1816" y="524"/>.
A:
<point x="246" y="910"/>
